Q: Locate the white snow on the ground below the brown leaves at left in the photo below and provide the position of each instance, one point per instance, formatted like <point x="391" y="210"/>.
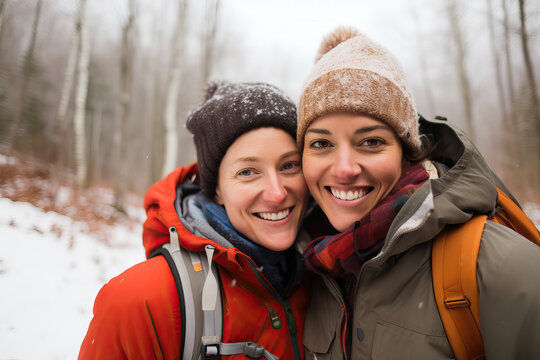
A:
<point x="51" y="269"/>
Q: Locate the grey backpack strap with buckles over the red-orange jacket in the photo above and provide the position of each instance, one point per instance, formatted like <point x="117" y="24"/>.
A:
<point x="197" y="283"/>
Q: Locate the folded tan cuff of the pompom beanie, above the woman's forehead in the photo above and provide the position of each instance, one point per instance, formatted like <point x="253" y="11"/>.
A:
<point x="363" y="92"/>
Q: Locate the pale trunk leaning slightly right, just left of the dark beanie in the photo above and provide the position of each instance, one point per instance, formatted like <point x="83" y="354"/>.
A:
<point x="173" y="90"/>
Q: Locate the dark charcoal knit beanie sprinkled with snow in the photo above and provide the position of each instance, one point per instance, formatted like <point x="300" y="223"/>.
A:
<point x="229" y="111"/>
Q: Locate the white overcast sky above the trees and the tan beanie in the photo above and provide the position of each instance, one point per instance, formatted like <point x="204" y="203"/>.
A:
<point x="276" y="41"/>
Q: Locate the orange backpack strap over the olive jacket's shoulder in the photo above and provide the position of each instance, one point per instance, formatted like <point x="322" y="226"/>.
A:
<point x="454" y="259"/>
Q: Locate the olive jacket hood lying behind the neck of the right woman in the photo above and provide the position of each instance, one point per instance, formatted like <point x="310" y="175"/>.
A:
<point x="465" y="187"/>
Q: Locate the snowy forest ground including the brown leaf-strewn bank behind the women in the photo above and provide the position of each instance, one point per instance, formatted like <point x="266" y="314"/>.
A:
<point x="56" y="255"/>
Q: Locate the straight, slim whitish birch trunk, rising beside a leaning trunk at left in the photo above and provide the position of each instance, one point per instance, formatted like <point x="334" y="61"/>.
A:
<point x="80" y="103"/>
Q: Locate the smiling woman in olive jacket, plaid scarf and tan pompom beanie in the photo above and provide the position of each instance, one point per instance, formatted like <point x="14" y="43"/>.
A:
<point x="364" y="153"/>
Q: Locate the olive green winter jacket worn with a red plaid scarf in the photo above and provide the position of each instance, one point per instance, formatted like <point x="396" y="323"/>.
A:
<point x="395" y="314"/>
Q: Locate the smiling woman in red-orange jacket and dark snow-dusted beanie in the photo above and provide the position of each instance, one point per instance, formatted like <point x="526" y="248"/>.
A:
<point x="246" y="198"/>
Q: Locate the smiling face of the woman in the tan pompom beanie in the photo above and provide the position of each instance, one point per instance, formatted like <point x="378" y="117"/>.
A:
<point x="350" y="162"/>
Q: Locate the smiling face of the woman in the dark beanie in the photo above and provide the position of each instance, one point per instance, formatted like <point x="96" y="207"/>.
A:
<point x="260" y="183"/>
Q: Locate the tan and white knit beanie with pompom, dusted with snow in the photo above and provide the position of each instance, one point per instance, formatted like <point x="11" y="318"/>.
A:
<point x="354" y="74"/>
